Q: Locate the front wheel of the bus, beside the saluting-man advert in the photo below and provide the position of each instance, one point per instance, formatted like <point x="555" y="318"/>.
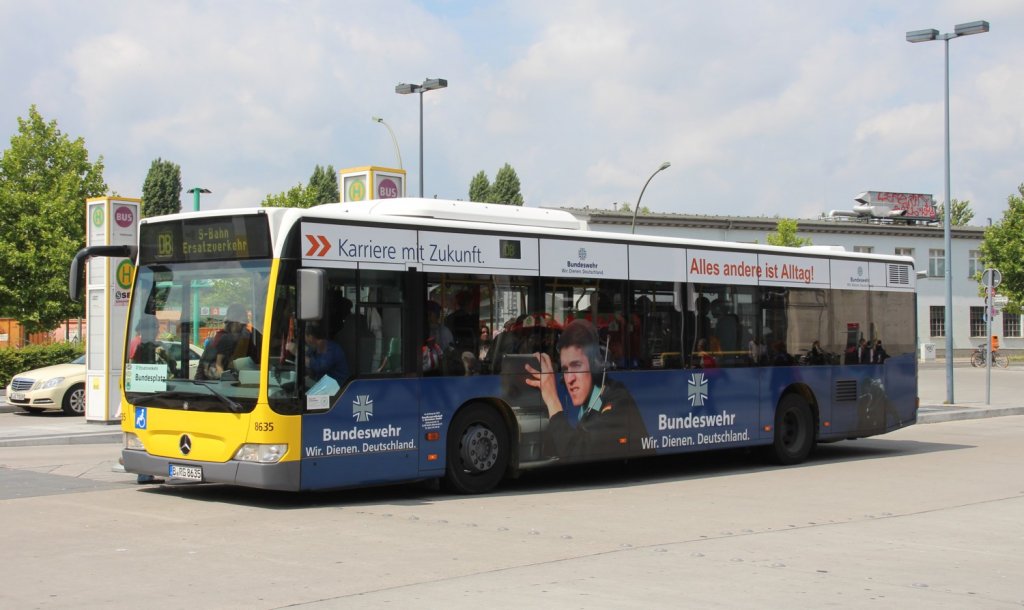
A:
<point x="478" y="451"/>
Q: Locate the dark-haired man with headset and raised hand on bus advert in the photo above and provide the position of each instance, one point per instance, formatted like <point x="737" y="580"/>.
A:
<point x="591" y="415"/>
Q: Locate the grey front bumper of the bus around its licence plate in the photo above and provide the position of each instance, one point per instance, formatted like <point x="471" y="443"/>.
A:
<point x="283" y="476"/>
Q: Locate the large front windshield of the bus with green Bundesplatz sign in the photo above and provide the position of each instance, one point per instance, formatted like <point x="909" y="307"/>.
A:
<point x="195" y="334"/>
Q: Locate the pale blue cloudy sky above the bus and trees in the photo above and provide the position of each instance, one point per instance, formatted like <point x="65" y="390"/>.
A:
<point x="784" y="109"/>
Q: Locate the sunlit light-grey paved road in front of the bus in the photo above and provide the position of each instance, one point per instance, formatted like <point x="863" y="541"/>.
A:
<point x="928" y="516"/>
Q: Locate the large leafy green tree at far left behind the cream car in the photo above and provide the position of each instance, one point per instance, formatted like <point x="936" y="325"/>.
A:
<point x="46" y="179"/>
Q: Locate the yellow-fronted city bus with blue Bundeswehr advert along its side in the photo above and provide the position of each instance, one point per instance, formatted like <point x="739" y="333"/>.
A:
<point x="409" y="340"/>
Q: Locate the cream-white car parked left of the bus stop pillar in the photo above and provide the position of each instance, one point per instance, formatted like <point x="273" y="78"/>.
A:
<point x="59" y="387"/>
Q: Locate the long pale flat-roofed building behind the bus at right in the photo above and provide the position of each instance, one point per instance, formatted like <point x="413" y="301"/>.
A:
<point x="923" y="242"/>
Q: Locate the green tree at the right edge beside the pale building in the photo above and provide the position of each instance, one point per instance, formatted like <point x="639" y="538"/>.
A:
<point x="1003" y="249"/>
